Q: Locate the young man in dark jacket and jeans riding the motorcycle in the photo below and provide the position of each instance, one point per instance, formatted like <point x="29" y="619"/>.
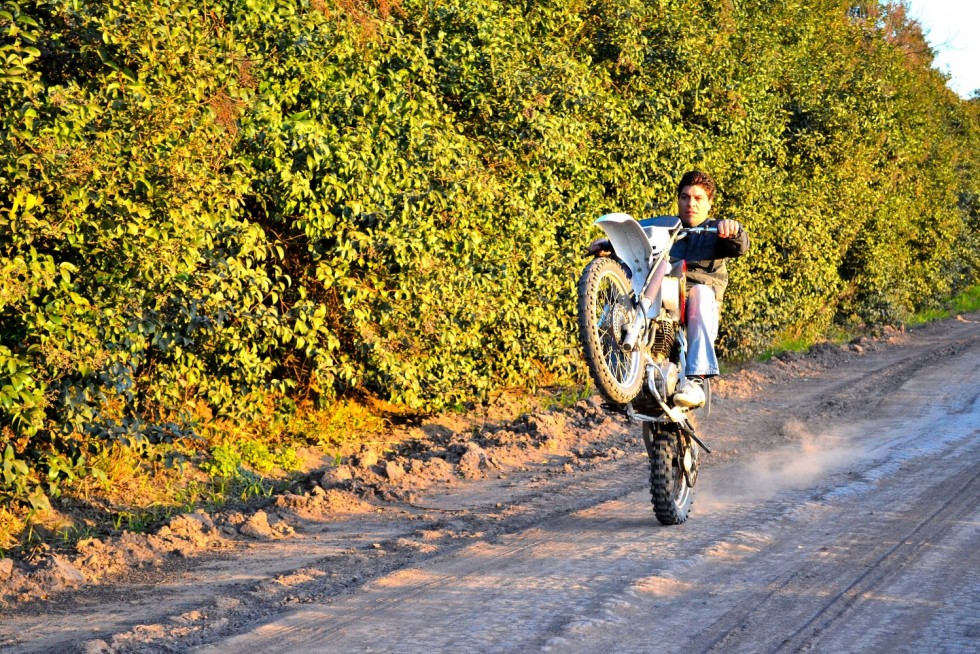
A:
<point x="707" y="278"/>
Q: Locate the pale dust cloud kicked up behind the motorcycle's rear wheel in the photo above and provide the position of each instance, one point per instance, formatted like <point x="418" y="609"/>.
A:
<point x="767" y="473"/>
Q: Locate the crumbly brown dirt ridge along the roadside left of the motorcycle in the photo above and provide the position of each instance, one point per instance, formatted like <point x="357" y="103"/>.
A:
<point x="444" y="450"/>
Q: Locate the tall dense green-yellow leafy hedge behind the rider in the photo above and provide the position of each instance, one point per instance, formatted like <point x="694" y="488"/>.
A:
<point x="220" y="209"/>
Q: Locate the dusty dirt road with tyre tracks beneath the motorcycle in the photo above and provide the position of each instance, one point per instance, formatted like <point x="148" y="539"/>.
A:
<point x="840" y="511"/>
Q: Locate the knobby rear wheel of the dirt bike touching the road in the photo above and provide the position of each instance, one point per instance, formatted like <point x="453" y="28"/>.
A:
<point x="670" y="492"/>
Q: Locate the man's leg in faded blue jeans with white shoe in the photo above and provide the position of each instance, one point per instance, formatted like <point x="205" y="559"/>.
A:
<point x="702" y="329"/>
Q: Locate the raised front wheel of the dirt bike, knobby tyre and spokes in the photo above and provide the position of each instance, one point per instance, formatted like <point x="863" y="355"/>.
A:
<point x="604" y="313"/>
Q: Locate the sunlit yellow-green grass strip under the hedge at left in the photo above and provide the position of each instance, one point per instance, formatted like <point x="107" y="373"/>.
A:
<point x="104" y="488"/>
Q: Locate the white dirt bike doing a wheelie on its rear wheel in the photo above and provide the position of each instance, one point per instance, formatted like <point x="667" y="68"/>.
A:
<point x="632" y="326"/>
